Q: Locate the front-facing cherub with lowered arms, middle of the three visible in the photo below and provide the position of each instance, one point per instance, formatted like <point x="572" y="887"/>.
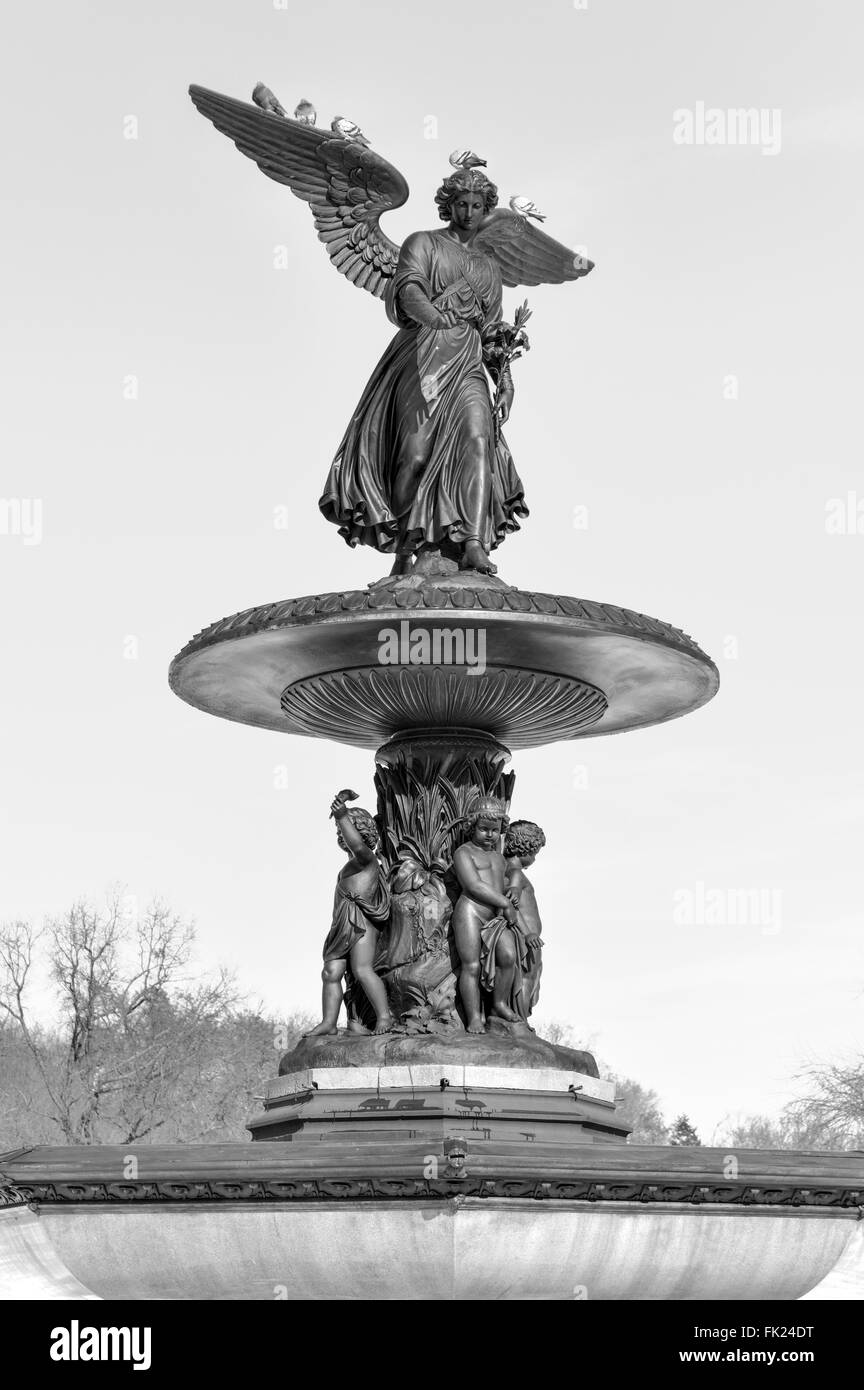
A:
<point x="485" y="922"/>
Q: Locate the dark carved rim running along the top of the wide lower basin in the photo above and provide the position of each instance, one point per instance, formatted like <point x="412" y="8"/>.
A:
<point x="463" y="1167"/>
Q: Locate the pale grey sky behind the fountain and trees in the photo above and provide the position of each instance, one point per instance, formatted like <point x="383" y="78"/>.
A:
<point x="687" y="427"/>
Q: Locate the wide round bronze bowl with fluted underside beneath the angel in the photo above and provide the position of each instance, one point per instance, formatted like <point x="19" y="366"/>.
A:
<point x="554" y="668"/>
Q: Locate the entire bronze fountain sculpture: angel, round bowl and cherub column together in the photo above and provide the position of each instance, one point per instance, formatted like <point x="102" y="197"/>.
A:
<point x="435" y="932"/>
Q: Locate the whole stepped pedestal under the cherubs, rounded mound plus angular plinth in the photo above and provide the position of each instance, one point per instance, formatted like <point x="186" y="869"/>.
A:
<point x="441" y="1090"/>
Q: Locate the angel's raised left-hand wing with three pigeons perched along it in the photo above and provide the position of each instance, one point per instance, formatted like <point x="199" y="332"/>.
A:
<point x="347" y="184"/>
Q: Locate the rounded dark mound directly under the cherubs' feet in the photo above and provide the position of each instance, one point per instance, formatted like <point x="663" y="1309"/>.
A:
<point x="499" y="1049"/>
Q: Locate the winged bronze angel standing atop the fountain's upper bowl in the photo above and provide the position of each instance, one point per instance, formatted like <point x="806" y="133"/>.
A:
<point x="424" y="469"/>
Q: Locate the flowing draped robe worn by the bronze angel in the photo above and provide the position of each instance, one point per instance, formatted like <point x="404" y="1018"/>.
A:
<point x="405" y="473"/>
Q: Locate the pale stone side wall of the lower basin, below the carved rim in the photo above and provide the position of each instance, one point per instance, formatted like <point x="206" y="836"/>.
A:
<point x="449" y="1250"/>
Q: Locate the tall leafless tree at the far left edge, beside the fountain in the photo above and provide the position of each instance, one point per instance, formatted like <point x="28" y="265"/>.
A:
<point x="133" y="1024"/>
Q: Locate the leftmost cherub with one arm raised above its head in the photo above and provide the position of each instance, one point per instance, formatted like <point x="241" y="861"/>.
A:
<point x="360" y="908"/>
